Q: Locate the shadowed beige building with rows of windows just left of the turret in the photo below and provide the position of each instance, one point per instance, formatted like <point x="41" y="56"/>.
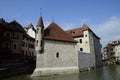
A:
<point x="28" y="48"/>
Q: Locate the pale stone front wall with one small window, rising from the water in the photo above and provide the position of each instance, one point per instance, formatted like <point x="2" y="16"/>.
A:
<point x="58" y="57"/>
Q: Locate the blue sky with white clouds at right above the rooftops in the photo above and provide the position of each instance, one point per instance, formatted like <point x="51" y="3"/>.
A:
<point x="102" y="16"/>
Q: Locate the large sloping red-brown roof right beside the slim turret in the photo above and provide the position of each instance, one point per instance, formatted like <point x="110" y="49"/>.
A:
<point x="54" y="32"/>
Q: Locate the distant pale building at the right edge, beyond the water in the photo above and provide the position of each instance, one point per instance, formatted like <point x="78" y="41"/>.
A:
<point x="112" y="51"/>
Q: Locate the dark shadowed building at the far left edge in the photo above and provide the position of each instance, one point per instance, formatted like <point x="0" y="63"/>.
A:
<point x="10" y="42"/>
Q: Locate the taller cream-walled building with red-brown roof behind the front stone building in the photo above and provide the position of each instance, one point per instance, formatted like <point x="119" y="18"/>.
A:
<point x="88" y="42"/>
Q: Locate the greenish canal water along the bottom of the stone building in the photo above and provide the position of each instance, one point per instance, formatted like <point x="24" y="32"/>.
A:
<point x="110" y="72"/>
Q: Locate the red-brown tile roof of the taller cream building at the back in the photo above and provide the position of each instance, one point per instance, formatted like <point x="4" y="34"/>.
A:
<point x="78" y="32"/>
